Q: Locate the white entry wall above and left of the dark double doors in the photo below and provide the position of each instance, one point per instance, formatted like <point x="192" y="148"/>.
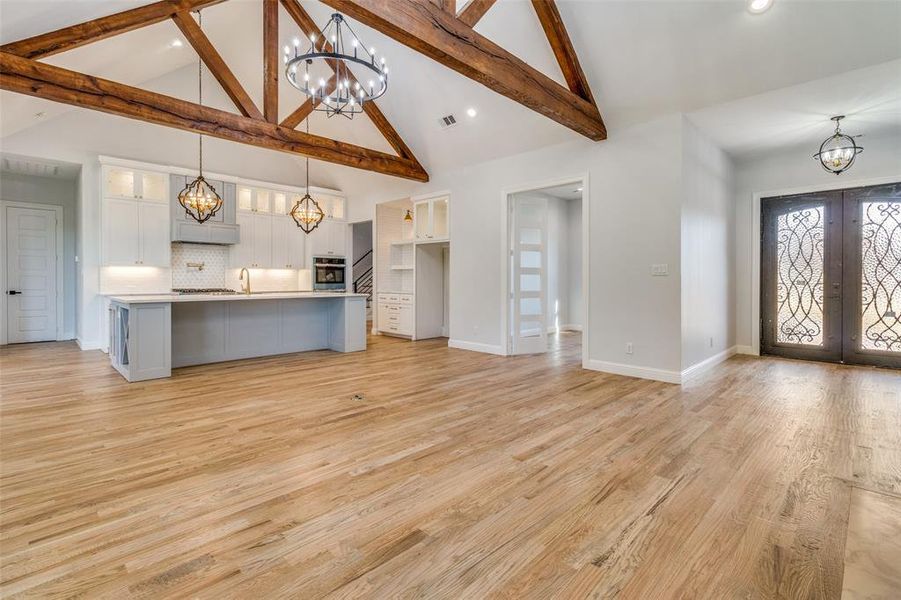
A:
<point x="786" y="172"/>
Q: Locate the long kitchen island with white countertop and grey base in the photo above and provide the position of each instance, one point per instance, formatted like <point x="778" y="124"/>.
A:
<point x="150" y="334"/>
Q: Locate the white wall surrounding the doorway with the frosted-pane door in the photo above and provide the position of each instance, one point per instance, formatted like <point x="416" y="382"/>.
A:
<point x="634" y="222"/>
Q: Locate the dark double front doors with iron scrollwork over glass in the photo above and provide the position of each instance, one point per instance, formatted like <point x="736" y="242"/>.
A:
<point x="831" y="276"/>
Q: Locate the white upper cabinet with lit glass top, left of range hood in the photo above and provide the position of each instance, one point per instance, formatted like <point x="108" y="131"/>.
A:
<point x="135" y="218"/>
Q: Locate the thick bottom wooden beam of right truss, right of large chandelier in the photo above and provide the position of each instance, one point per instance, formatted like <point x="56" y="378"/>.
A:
<point x="422" y="26"/>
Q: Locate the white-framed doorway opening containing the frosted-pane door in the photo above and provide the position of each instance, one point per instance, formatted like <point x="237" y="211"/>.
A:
<point x="545" y="270"/>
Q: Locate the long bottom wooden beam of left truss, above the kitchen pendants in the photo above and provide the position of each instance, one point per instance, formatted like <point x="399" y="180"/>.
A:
<point x="33" y="78"/>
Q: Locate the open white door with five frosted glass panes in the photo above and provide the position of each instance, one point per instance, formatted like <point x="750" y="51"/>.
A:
<point x="528" y="270"/>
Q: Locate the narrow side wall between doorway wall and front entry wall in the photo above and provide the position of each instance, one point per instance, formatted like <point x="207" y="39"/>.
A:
<point x="708" y="301"/>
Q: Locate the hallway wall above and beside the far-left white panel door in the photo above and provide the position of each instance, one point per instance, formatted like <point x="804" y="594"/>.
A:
<point x="58" y="192"/>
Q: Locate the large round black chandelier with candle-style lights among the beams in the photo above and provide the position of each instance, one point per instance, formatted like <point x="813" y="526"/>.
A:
<point x="339" y="48"/>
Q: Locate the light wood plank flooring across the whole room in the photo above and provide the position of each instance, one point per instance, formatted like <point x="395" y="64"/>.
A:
<point x="452" y="475"/>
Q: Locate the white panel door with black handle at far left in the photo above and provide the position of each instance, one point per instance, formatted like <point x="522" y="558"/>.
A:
<point x="31" y="275"/>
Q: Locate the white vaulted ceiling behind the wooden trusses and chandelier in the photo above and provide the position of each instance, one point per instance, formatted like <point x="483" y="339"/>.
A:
<point x="748" y="80"/>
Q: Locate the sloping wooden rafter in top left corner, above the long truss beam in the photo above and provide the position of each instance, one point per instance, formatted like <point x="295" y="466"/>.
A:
<point x="67" y="38"/>
